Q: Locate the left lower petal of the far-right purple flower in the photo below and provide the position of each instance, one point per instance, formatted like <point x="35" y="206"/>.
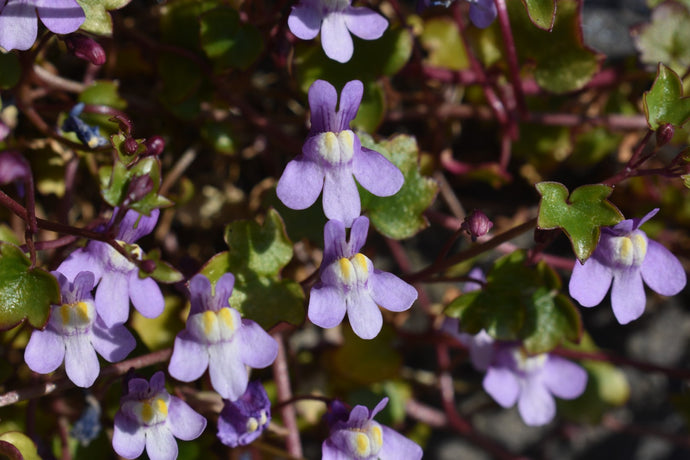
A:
<point x="590" y="282"/>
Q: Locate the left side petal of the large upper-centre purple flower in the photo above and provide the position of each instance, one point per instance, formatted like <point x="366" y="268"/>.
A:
<point x="300" y="184"/>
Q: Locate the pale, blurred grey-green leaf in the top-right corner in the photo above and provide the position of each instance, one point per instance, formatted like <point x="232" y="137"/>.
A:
<point x="665" y="38"/>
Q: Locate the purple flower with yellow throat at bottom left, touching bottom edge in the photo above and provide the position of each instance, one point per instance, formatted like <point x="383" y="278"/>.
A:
<point x="151" y="417"/>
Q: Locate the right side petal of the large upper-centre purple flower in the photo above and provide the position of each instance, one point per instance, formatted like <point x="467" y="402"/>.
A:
<point x="375" y="173"/>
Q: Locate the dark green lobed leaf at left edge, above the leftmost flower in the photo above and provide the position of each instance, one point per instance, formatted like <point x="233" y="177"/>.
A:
<point x="25" y="293"/>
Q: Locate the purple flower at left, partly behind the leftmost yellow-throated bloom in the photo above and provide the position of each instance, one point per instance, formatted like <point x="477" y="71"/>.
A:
<point x="119" y="278"/>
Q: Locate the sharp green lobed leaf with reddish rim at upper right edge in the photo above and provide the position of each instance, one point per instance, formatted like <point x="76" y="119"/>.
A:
<point x="664" y="102"/>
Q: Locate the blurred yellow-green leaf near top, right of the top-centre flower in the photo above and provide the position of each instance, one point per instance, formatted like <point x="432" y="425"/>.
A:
<point x="441" y="39"/>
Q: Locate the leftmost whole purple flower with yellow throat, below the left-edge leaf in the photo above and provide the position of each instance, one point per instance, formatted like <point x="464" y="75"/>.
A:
<point x="75" y="333"/>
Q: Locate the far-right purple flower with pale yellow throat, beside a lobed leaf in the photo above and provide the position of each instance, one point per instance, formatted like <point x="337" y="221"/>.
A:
<point x="626" y="257"/>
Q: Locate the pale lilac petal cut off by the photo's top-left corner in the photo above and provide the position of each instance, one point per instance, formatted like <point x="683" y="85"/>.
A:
<point x="18" y="25"/>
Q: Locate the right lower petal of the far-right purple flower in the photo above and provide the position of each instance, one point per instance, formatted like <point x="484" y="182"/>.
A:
<point x="662" y="271"/>
